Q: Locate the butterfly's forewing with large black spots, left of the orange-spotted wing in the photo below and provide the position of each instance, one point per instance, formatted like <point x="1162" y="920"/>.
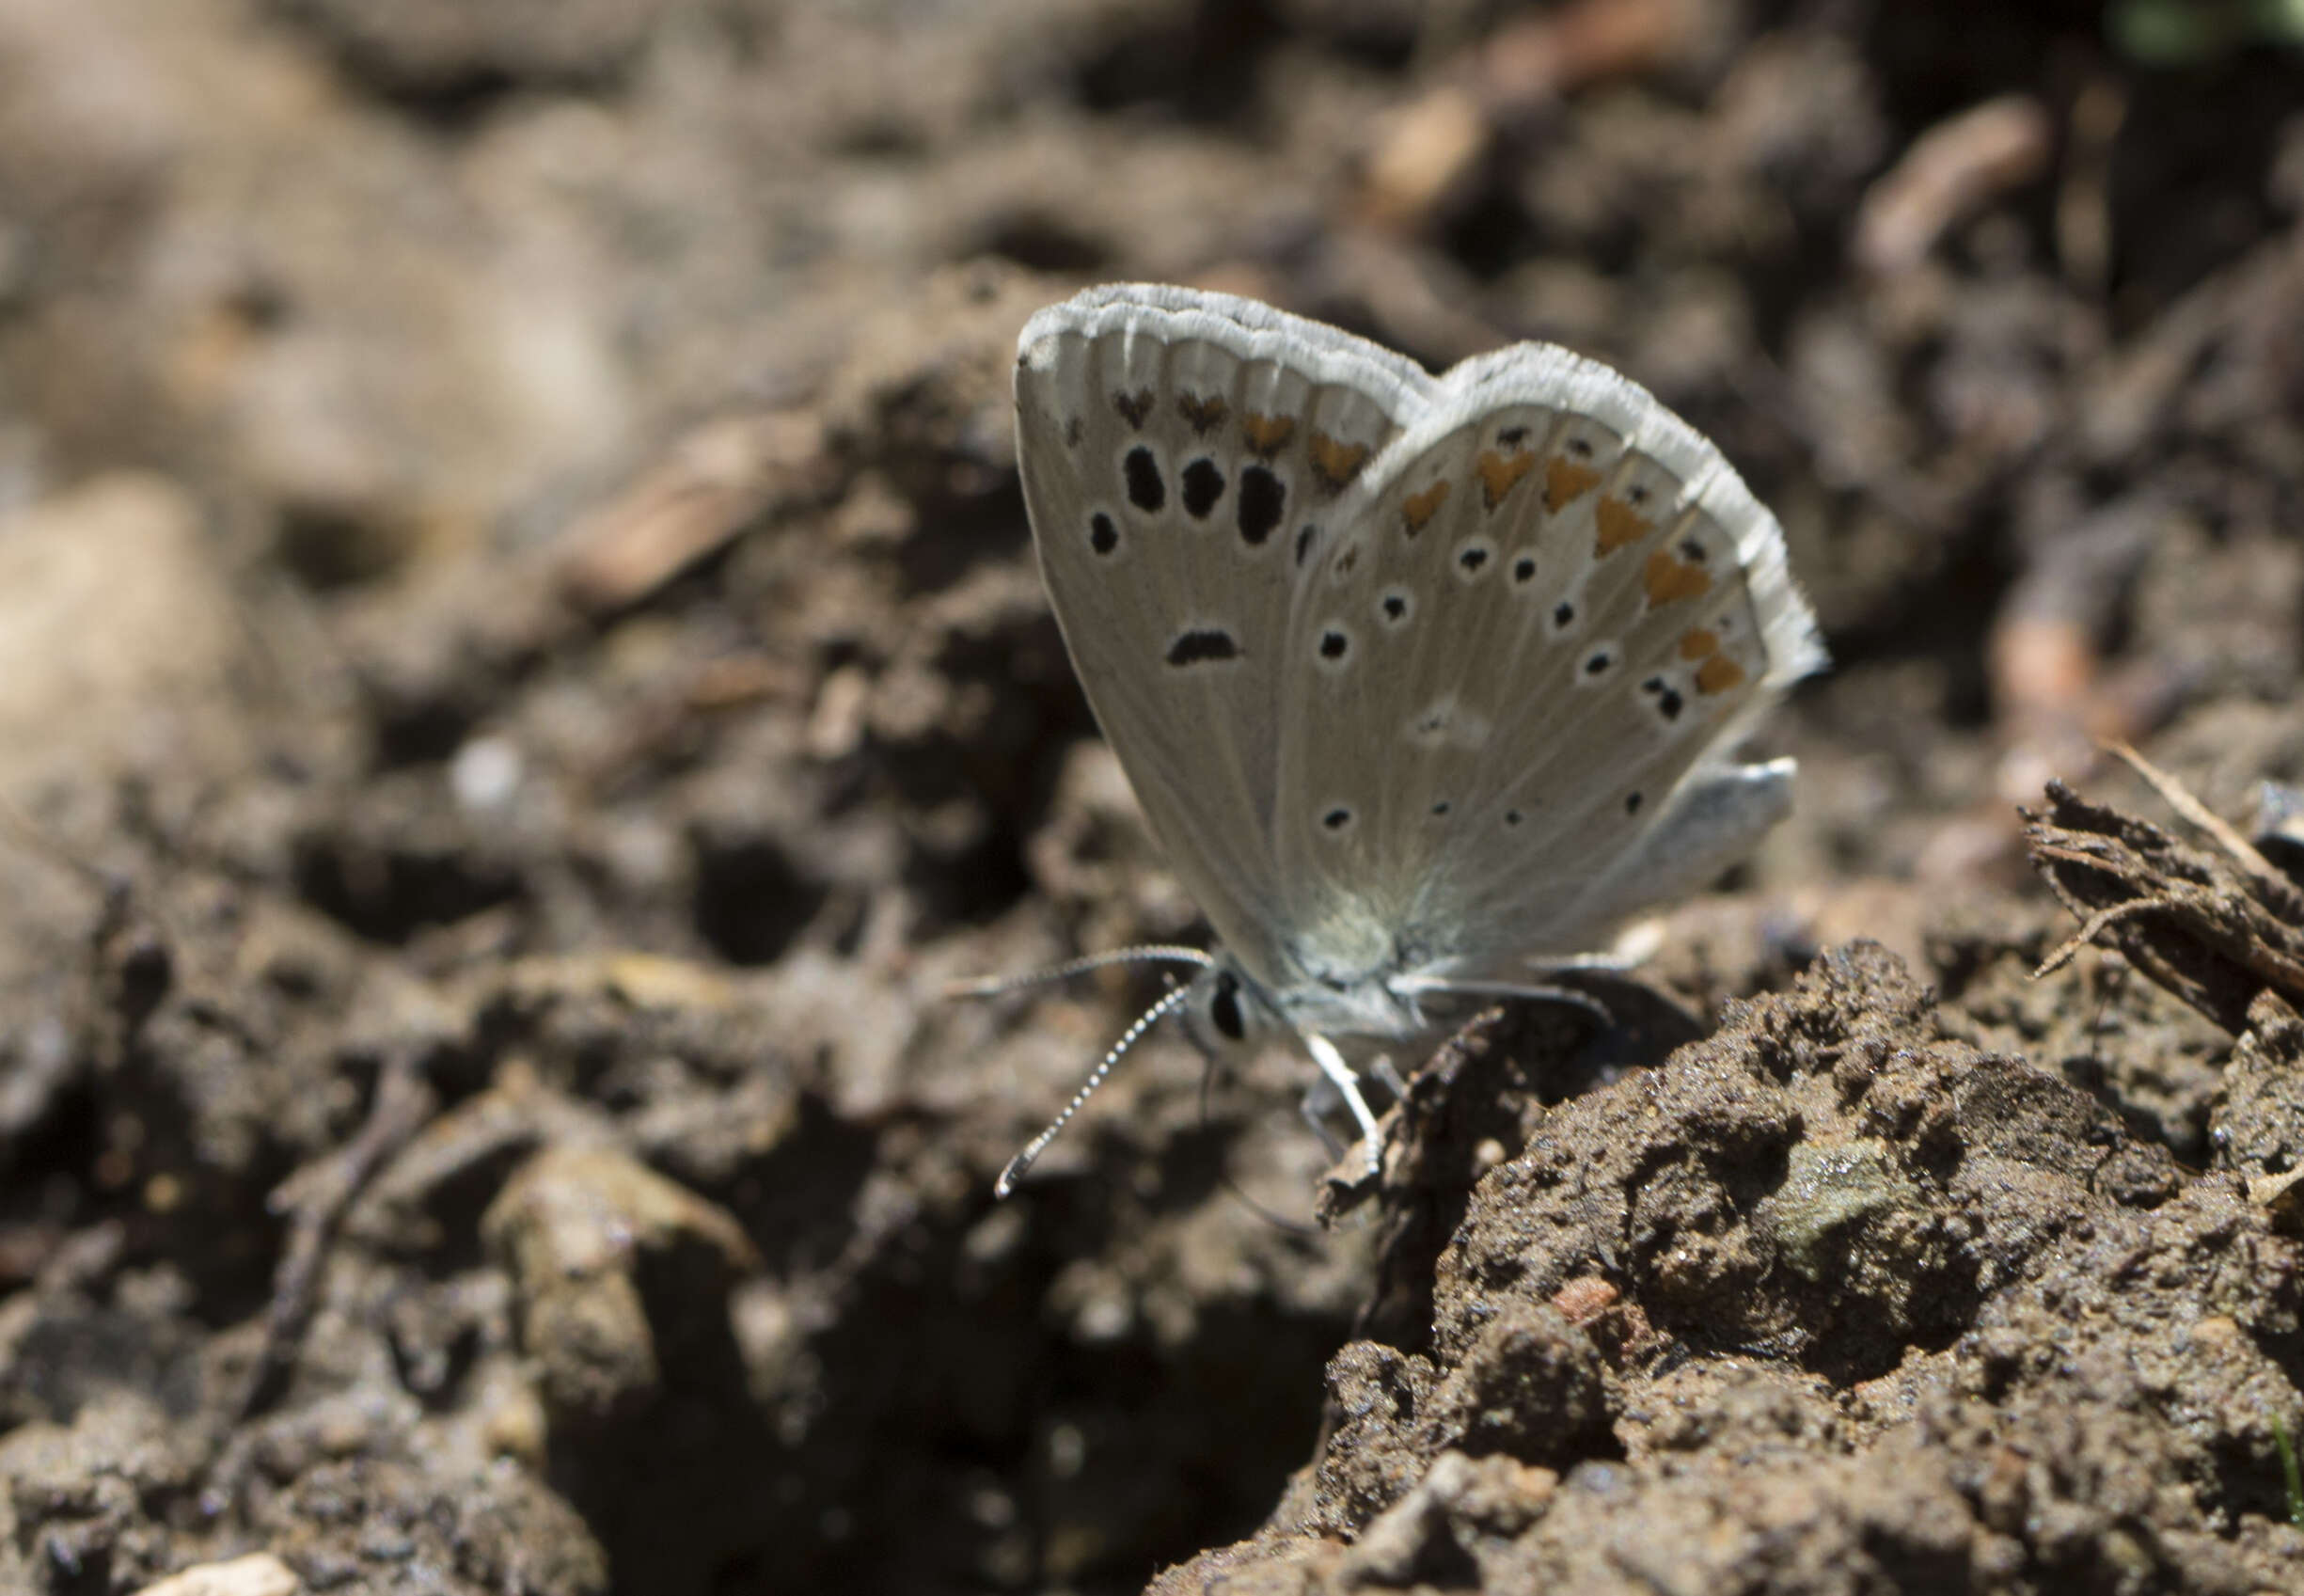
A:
<point x="1183" y="459"/>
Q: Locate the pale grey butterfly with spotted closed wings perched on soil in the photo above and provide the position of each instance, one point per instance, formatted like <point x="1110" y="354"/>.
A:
<point x="1416" y="678"/>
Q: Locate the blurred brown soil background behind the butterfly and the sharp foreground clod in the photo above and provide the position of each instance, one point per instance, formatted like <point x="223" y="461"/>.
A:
<point x="522" y="674"/>
